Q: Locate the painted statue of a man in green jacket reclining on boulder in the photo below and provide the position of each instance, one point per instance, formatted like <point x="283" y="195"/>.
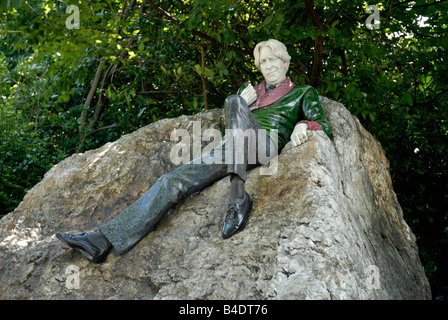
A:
<point x="274" y="106"/>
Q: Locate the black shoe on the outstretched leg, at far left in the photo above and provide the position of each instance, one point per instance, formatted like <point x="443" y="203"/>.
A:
<point x="94" y="246"/>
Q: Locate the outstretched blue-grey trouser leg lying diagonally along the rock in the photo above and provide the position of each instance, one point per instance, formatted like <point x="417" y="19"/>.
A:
<point x="136" y="221"/>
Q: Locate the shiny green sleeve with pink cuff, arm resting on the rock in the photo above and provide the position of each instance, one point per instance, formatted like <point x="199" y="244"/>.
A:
<point x="313" y="112"/>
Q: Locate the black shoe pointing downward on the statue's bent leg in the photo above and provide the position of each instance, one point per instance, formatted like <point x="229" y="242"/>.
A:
<point x="236" y="217"/>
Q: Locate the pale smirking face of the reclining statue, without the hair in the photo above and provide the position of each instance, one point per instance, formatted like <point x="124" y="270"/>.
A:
<point x="273" y="69"/>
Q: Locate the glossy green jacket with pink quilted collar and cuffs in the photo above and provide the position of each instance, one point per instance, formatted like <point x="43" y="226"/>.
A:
<point x="287" y="105"/>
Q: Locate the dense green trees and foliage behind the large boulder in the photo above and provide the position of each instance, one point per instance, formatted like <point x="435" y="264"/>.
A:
<point x="155" y="60"/>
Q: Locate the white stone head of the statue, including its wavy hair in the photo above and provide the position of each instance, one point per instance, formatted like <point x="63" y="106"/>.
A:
<point x="272" y="58"/>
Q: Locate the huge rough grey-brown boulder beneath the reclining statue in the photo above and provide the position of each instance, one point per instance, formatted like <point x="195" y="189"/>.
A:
<point x="326" y="225"/>
